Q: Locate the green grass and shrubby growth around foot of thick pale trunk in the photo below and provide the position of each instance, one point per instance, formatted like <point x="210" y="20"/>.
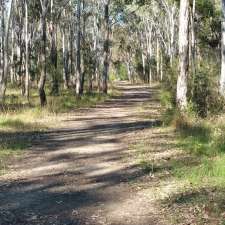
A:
<point x="202" y="139"/>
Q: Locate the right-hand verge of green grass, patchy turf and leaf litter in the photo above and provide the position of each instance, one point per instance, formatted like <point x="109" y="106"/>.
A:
<point x="197" y="166"/>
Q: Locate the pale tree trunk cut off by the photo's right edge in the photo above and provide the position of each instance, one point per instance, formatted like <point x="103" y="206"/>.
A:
<point x="222" y="76"/>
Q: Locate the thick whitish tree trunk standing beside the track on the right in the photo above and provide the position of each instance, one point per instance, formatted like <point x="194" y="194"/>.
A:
<point x="183" y="55"/>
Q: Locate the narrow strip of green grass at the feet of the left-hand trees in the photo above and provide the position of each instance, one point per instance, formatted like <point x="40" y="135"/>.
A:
<point x="65" y="102"/>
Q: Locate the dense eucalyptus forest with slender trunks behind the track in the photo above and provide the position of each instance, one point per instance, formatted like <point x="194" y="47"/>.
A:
<point x="81" y="45"/>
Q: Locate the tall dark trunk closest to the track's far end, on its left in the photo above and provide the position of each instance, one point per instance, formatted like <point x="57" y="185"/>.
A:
<point x="106" y="49"/>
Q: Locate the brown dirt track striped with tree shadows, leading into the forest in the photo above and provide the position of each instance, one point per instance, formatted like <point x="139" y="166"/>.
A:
<point x="83" y="173"/>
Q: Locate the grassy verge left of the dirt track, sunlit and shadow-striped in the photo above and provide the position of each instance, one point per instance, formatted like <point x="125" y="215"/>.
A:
<point x="22" y="121"/>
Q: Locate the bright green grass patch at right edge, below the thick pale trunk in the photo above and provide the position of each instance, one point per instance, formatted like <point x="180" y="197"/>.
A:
<point x="205" y="142"/>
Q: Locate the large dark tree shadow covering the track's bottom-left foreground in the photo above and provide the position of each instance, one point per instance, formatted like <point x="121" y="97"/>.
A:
<point x="50" y="200"/>
